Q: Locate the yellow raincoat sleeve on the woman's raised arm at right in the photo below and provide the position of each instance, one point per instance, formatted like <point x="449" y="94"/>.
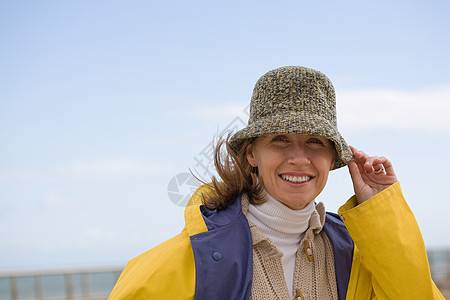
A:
<point x="390" y="248"/>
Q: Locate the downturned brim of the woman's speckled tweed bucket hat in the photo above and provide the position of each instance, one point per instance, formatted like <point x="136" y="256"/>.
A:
<point x="298" y="123"/>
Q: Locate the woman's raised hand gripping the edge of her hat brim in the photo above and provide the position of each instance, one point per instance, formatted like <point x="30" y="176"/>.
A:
<point x="370" y="174"/>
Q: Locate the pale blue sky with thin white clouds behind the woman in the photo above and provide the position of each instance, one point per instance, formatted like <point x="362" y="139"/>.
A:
<point x="102" y="103"/>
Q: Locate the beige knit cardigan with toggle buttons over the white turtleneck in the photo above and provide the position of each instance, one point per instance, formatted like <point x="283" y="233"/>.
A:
<point x="314" y="275"/>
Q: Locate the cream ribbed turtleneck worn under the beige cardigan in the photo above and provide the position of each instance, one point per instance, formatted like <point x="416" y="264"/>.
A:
<point x="285" y="227"/>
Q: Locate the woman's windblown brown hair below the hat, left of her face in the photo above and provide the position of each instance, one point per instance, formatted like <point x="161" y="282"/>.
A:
<point x="237" y="177"/>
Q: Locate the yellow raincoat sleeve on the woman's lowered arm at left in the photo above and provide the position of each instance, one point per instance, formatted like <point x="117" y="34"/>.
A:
<point x="164" y="272"/>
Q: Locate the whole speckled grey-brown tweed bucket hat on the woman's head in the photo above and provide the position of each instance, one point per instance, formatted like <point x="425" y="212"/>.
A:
<point x="294" y="100"/>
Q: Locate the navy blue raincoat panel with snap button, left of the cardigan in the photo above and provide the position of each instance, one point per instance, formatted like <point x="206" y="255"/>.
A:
<point x="223" y="255"/>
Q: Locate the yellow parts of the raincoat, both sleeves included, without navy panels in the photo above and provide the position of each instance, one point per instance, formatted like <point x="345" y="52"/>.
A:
<point x="389" y="257"/>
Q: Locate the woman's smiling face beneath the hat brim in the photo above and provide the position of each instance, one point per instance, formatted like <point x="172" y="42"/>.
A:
<point x="293" y="168"/>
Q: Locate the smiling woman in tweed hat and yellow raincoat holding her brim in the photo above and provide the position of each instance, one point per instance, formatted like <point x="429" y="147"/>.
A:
<point x="258" y="234"/>
